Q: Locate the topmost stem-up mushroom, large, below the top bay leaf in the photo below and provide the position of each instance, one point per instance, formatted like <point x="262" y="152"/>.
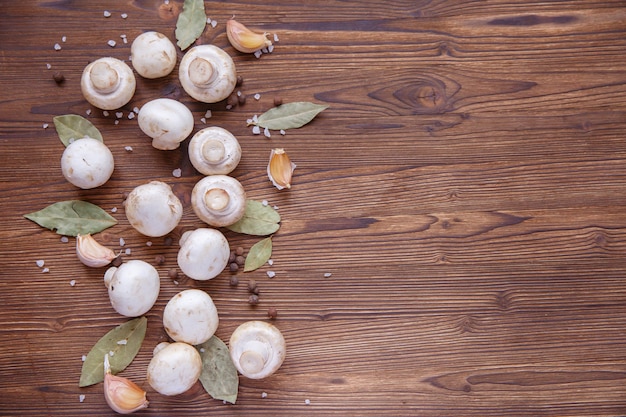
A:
<point x="207" y="73"/>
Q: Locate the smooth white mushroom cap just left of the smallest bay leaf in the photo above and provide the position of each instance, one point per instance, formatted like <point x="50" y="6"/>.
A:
<point x="203" y="253"/>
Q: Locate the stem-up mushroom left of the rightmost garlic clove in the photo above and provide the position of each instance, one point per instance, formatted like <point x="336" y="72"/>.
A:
<point x="214" y="150"/>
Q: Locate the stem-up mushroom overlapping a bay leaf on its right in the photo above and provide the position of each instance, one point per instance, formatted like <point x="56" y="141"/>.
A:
<point x="218" y="200"/>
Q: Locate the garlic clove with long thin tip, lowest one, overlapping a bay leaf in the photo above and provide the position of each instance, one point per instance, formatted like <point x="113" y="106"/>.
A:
<point x="122" y="394"/>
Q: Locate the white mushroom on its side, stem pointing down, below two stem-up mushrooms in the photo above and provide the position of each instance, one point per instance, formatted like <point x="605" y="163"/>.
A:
<point x="168" y="122"/>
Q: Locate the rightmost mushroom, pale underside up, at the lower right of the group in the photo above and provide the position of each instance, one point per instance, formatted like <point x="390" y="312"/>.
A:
<point x="257" y="349"/>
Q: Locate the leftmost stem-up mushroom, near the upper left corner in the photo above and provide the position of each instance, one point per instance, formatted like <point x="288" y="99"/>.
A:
<point x="108" y="83"/>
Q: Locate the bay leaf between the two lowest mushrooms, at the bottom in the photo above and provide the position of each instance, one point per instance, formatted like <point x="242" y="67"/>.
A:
<point x="219" y="375"/>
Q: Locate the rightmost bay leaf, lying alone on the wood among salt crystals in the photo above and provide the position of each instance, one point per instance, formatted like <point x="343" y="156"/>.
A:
<point x="289" y="115"/>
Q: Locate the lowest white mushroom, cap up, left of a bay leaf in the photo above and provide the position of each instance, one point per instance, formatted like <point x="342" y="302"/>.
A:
<point x="174" y="368"/>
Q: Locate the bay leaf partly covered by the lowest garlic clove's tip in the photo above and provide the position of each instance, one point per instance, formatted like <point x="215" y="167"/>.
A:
<point x="121" y="343"/>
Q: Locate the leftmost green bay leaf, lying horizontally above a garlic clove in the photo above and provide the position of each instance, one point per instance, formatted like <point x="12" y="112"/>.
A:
<point x="72" y="218"/>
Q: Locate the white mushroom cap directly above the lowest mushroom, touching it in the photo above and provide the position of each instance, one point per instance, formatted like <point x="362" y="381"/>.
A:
<point x="191" y="317"/>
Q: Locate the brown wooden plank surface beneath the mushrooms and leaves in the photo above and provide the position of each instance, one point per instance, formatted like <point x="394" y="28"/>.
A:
<point x="465" y="188"/>
